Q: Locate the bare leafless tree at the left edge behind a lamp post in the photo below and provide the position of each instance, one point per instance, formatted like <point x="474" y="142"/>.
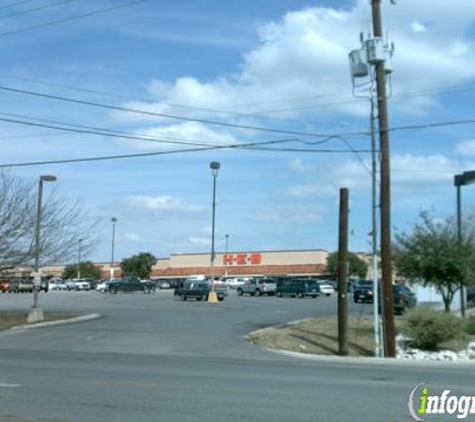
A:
<point x="62" y="223"/>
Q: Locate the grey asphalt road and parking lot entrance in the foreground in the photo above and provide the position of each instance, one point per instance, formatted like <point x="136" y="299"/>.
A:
<point x="152" y="358"/>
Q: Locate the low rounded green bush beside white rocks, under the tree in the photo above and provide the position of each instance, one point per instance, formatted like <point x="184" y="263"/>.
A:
<point x="428" y="328"/>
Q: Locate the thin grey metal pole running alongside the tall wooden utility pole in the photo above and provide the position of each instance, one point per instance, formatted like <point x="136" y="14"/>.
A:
<point x="374" y="235"/>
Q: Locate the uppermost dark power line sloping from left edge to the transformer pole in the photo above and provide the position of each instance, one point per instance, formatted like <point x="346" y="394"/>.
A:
<point x="170" y="116"/>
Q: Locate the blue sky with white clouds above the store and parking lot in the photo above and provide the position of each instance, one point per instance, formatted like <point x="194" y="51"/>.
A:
<point x="279" y="64"/>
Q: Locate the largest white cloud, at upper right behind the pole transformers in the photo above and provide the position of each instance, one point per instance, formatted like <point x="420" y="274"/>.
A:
<point x="302" y="56"/>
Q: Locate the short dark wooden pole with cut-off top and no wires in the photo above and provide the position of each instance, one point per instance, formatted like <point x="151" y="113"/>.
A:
<point x="343" y="344"/>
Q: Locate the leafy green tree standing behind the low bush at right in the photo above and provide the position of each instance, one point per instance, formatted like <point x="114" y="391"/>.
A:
<point x="433" y="256"/>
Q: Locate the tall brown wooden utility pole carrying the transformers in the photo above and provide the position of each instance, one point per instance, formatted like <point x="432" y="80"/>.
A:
<point x="387" y="299"/>
